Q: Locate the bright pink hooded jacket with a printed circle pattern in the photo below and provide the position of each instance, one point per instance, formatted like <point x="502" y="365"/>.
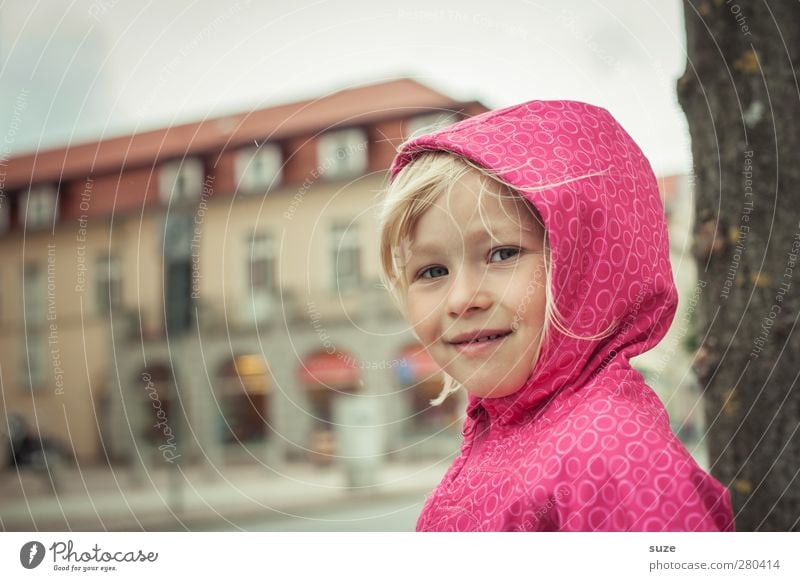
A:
<point x="585" y="444"/>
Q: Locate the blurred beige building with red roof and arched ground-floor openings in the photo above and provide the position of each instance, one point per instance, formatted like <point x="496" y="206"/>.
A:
<point x="207" y="291"/>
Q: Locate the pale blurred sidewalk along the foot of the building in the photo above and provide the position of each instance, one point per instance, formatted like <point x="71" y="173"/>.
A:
<point x="187" y="497"/>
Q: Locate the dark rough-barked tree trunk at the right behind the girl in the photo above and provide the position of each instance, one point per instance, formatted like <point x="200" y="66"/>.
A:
<point x="741" y="97"/>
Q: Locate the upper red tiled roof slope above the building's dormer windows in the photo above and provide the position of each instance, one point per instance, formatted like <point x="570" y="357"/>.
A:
<point x="361" y="104"/>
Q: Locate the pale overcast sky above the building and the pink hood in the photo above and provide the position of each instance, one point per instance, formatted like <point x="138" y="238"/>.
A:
<point x="81" y="70"/>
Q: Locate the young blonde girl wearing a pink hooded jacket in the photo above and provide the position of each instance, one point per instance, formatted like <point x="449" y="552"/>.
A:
<point x="527" y="248"/>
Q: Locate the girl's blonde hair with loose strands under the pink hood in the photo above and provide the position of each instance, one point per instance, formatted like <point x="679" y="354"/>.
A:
<point x="416" y="188"/>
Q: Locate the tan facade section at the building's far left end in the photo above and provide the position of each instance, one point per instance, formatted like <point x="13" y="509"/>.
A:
<point x="53" y="342"/>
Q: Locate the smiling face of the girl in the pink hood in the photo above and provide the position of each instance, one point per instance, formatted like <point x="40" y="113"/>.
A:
<point x="461" y="282"/>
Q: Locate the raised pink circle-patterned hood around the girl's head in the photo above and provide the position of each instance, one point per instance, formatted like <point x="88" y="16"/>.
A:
<point x="607" y="233"/>
